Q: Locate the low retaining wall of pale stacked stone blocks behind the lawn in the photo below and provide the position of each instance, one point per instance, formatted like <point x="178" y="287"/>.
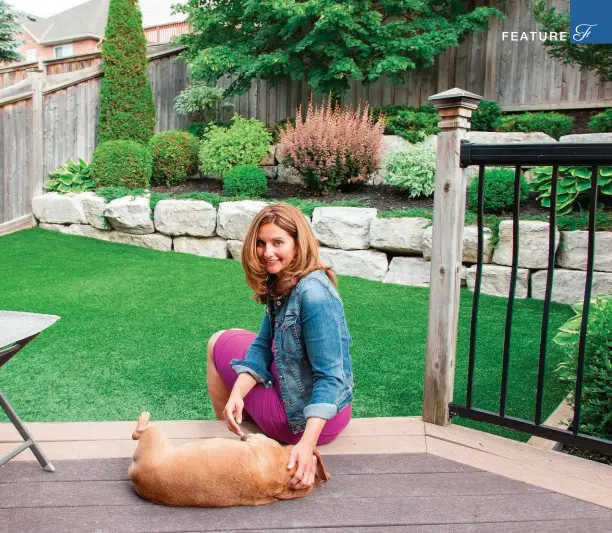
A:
<point x="353" y="241"/>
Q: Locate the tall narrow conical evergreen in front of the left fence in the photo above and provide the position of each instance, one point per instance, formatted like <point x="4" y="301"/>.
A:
<point x="127" y="110"/>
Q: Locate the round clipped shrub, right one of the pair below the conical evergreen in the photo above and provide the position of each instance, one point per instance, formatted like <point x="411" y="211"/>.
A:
<point x="175" y="157"/>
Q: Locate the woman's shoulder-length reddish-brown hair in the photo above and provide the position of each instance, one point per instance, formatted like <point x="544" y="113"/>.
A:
<point x="307" y="256"/>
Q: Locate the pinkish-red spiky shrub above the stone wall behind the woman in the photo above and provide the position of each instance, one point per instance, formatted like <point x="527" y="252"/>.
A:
<point x="333" y="147"/>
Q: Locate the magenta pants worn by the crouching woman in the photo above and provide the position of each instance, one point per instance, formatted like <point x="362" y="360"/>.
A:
<point x="265" y="405"/>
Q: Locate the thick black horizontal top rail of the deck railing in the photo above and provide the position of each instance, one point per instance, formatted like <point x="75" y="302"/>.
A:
<point x="540" y="154"/>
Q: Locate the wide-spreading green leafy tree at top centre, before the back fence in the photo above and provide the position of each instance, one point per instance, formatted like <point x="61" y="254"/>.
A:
<point x="328" y="43"/>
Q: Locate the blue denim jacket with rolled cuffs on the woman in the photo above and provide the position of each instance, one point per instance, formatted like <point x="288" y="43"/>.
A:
<point x="311" y="351"/>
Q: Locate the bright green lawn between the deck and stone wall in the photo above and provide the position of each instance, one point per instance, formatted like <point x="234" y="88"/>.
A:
<point x="135" y="324"/>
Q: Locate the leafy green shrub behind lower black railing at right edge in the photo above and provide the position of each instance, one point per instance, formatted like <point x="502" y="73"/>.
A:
<point x="596" y="416"/>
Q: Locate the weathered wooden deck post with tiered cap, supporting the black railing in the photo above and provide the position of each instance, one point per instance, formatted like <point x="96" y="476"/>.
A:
<point x="454" y="108"/>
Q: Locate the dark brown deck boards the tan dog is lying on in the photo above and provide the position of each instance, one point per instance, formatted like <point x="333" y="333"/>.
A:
<point x="395" y="492"/>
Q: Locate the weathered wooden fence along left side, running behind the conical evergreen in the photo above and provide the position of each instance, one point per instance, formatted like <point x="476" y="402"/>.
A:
<point x="50" y="119"/>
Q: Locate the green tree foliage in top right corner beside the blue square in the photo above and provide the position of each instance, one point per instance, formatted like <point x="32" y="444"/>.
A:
<point x="594" y="57"/>
